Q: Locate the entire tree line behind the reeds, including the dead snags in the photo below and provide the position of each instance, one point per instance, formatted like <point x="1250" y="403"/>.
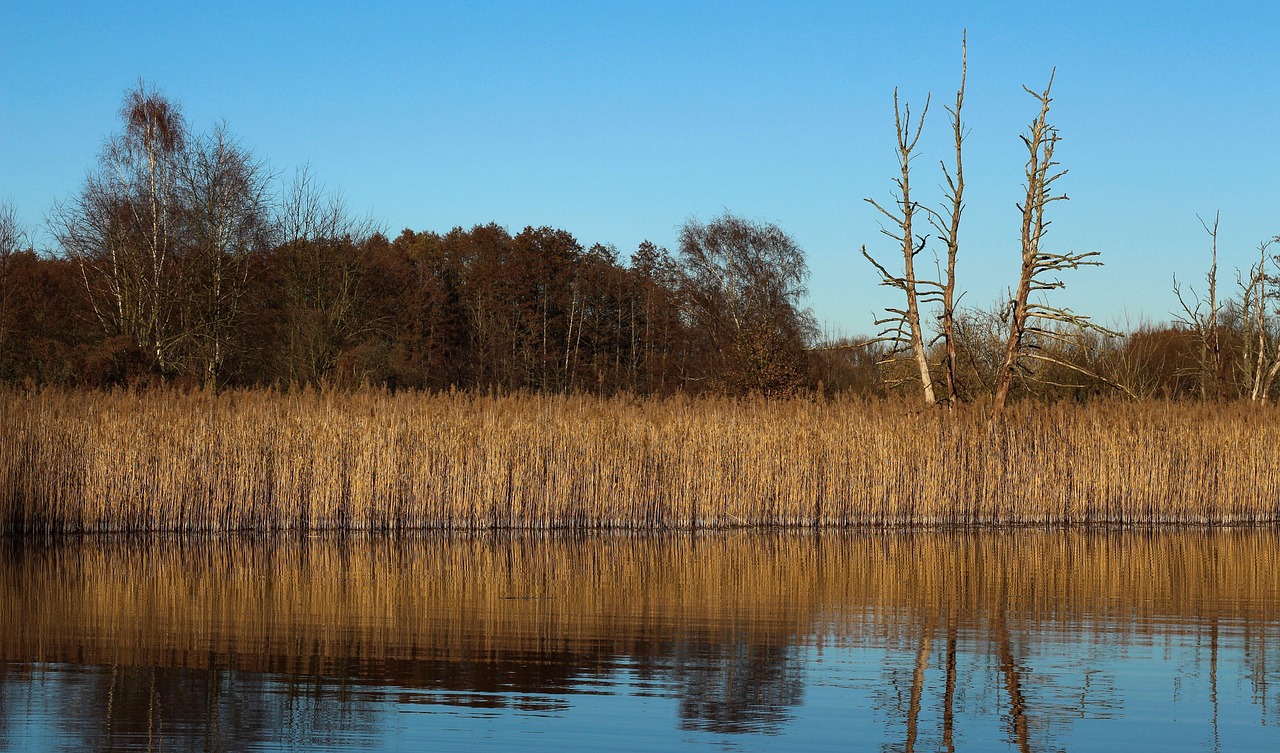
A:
<point x="185" y="259"/>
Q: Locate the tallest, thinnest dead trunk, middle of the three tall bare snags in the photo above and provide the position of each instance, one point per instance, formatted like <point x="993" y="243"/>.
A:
<point x="949" y="226"/>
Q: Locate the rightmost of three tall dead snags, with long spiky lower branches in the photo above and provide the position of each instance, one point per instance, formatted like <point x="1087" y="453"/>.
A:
<point x="1032" y="325"/>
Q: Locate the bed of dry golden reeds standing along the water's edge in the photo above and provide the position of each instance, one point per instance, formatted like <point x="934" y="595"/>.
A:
<point x="372" y="460"/>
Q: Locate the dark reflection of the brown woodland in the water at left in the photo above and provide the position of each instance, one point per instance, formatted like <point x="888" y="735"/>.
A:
<point x="732" y="688"/>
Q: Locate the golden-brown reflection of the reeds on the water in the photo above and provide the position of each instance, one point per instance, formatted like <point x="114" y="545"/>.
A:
<point x="285" y="605"/>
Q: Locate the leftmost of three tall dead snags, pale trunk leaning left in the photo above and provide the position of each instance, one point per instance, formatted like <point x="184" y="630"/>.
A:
<point x="903" y="328"/>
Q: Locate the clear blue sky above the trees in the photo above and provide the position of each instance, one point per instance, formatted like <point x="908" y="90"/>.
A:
<point x="618" y="122"/>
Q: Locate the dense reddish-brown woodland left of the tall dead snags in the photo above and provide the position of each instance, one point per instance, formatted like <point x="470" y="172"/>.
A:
<point x="180" y="261"/>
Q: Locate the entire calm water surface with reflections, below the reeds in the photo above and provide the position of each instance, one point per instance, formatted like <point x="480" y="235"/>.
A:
<point x="1020" y="641"/>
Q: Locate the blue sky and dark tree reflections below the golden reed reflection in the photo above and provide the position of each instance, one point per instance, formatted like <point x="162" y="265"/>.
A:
<point x="1086" y="688"/>
